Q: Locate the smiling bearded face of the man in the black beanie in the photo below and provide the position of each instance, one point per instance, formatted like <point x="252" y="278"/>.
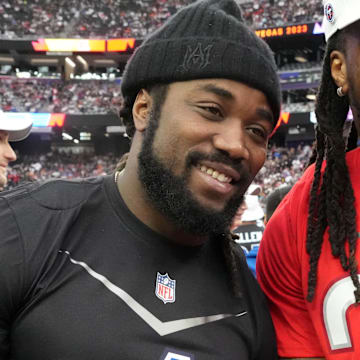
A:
<point x="202" y="149"/>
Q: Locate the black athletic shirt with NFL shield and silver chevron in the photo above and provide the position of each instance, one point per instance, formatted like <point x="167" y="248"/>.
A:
<point x="82" y="278"/>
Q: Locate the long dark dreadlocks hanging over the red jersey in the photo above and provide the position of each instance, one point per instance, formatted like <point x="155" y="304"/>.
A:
<point x="332" y="198"/>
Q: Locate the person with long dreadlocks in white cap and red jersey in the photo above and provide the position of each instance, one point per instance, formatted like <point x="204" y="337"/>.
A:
<point x="308" y="258"/>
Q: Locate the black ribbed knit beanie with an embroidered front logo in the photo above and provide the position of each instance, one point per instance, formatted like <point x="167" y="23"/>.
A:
<point x="207" y="39"/>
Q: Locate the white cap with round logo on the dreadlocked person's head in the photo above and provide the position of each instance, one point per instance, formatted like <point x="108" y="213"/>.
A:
<point x="338" y="14"/>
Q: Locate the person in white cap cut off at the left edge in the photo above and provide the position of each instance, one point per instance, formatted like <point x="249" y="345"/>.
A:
<point x="10" y="130"/>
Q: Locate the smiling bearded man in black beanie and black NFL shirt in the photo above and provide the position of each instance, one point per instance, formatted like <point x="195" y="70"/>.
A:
<point x="141" y="264"/>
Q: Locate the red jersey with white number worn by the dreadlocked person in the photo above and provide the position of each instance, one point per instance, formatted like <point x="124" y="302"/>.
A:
<point x="329" y="326"/>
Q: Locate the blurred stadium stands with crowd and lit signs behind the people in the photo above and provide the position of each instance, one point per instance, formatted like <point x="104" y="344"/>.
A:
<point x="62" y="64"/>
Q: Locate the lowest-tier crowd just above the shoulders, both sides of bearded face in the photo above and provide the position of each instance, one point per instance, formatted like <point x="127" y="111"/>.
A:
<point x="283" y="166"/>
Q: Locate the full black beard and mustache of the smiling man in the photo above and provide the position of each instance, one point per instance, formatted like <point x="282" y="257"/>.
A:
<point x="170" y="195"/>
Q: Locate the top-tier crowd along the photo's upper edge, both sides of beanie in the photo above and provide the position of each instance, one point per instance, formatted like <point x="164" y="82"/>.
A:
<point x="130" y="18"/>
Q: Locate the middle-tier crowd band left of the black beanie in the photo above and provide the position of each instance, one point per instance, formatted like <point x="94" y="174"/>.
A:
<point x="52" y="96"/>
